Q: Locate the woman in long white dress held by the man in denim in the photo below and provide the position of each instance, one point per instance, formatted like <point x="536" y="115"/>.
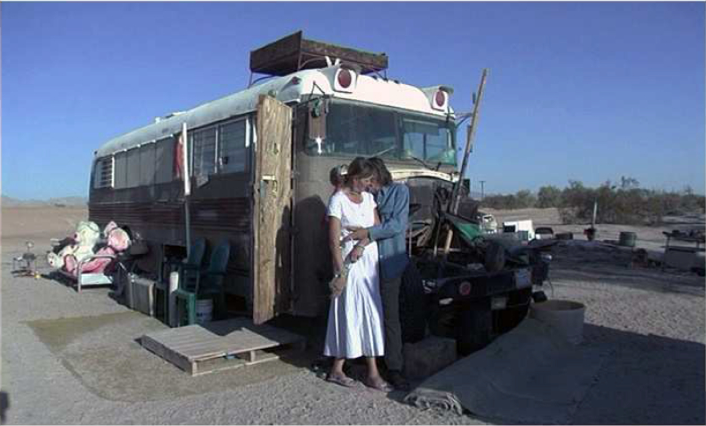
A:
<point x="355" y="317"/>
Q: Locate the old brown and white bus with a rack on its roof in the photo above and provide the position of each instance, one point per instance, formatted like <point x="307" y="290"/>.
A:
<point x="257" y="163"/>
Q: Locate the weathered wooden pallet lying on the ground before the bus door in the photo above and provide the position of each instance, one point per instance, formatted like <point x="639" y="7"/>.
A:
<point x="205" y="348"/>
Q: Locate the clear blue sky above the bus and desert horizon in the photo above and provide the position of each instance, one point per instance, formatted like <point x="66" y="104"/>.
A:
<point x="581" y="91"/>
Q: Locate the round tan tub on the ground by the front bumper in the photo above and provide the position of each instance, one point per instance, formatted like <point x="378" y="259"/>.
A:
<point x="565" y="316"/>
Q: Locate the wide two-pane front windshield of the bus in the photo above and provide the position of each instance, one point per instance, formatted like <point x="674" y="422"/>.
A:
<point x="362" y="130"/>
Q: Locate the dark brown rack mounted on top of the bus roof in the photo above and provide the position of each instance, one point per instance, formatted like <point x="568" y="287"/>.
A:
<point x="294" y="53"/>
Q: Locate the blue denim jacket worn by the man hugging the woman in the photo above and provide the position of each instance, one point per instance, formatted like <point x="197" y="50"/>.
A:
<point x="393" y="207"/>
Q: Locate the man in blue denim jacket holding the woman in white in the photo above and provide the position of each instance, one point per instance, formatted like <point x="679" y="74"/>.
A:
<point x="393" y="206"/>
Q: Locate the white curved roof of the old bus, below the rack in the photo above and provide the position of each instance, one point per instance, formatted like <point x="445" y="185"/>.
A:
<point x="290" y="88"/>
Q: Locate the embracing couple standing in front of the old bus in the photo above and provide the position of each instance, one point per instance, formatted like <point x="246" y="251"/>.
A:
<point x="368" y="216"/>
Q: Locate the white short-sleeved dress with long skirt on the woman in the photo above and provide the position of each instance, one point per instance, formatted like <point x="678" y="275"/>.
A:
<point x="355" y="317"/>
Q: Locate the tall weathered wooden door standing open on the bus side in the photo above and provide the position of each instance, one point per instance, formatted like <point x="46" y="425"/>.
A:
<point x="272" y="195"/>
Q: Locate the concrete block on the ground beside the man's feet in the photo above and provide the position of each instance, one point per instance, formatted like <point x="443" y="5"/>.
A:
<point x="428" y="356"/>
